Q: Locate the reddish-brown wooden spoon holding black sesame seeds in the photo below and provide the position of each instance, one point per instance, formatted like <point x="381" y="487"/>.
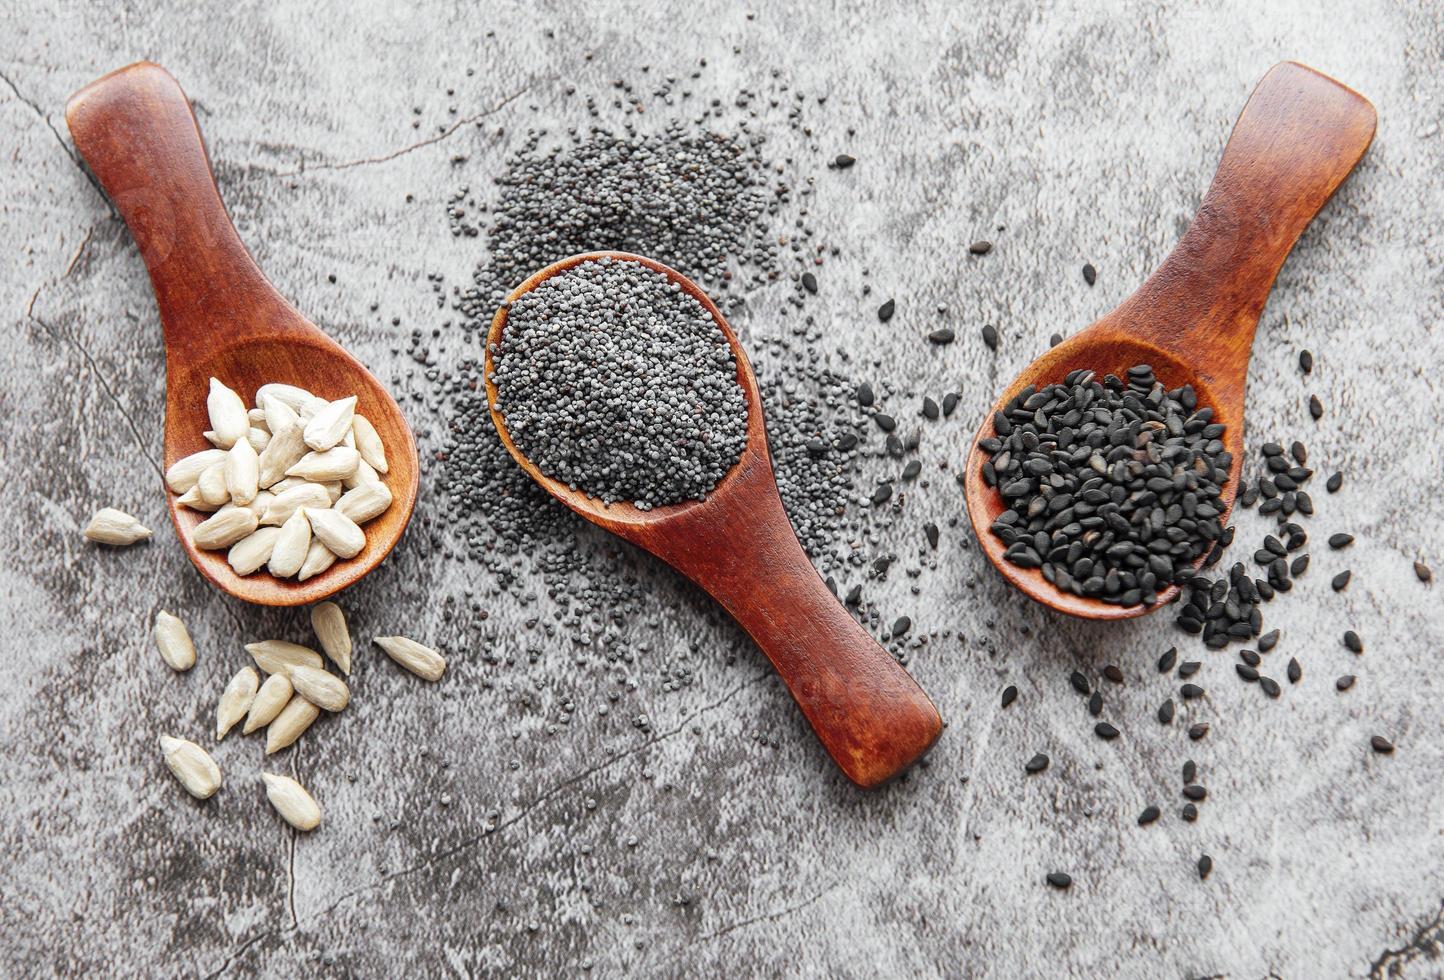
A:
<point x="1299" y="138"/>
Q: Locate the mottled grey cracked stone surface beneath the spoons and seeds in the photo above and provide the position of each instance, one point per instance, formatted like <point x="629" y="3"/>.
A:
<point x="461" y="838"/>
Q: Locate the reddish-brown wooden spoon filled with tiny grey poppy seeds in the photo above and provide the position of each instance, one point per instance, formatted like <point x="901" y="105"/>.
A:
<point x="740" y="548"/>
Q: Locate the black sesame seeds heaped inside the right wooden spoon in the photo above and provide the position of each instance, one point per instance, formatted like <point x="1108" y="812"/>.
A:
<point x="1114" y="487"/>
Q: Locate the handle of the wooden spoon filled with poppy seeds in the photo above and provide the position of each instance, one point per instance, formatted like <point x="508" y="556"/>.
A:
<point x="866" y="708"/>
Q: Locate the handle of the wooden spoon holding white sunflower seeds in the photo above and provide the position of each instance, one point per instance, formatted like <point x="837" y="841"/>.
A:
<point x="138" y="134"/>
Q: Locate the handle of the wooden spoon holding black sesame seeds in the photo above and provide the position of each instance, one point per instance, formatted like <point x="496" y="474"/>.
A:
<point x="1300" y="135"/>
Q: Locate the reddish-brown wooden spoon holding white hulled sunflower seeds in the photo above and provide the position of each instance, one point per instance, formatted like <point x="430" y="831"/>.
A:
<point x="220" y="315"/>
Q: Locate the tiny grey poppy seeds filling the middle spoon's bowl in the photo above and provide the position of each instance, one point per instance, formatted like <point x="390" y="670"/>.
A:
<point x="619" y="383"/>
